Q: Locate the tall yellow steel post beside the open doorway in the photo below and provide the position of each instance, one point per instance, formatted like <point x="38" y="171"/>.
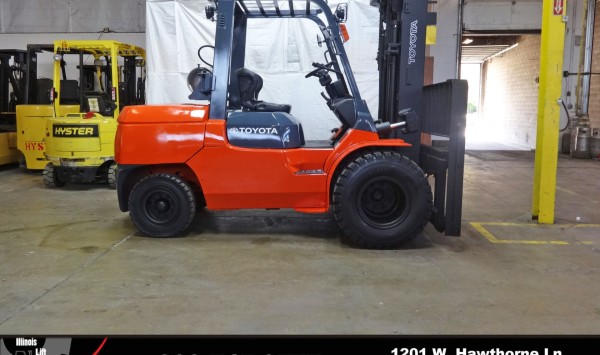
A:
<point x="546" y="153"/>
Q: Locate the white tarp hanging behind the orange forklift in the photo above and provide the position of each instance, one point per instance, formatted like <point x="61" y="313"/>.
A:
<point x="280" y="51"/>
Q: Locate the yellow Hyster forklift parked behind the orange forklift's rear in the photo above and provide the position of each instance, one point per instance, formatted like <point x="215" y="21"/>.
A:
<point x="80" y="145"/>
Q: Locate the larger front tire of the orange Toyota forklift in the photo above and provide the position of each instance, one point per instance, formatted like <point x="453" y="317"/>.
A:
<point x="381" y="200"/>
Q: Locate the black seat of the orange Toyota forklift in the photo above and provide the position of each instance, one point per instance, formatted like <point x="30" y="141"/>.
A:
<point x="250" y="85"/>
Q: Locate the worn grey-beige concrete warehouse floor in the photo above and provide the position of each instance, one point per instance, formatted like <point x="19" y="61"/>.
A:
<point x="72" y="263"/>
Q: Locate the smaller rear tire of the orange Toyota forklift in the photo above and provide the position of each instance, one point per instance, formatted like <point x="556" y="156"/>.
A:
<point x="162" y="205"/>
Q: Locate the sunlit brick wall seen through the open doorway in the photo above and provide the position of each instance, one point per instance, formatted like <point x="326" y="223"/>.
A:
<point x="511" y="92"/>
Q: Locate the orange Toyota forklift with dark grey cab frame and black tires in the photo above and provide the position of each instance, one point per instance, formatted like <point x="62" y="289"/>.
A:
<point x="239" y="152"/>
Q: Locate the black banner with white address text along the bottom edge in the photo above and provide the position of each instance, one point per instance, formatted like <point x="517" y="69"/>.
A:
<point x="301" y="345"/>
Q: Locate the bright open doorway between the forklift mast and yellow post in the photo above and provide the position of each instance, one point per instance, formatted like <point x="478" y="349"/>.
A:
<point x="502" y="72"/>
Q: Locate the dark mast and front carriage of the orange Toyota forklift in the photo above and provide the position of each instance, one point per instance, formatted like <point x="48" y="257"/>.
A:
<point x="441" y="107"/>
